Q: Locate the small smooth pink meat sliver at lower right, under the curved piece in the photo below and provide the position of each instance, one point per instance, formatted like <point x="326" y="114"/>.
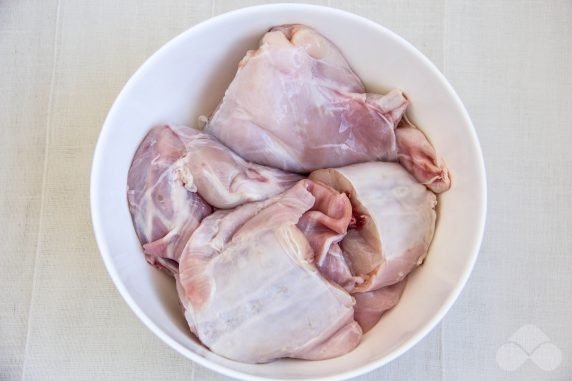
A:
<point x="371" y="305"/>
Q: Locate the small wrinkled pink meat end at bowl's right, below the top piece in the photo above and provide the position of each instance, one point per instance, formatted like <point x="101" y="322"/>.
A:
<point x="418" y="156"/>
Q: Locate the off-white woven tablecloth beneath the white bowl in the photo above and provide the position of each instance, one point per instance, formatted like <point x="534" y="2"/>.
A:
<point x="62" y="64"/>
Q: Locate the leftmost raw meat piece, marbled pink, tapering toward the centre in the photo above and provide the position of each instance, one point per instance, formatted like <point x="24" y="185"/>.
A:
<point x="177" y="174"/>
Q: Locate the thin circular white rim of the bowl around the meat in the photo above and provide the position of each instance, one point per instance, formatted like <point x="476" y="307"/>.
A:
<point x="96" y="182"/>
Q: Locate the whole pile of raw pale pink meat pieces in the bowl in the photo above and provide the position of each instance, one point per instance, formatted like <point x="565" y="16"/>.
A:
<point x="295" y="104"/>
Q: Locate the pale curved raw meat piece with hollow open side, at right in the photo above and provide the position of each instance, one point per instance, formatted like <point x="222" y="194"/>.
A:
<point x="394" y="221"/>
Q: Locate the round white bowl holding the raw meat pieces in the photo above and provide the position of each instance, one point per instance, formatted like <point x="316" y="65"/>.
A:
<point x="188" y="76"/>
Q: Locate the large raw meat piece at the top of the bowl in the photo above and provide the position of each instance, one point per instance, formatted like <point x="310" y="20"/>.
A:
<point x="295" y="104"/>
